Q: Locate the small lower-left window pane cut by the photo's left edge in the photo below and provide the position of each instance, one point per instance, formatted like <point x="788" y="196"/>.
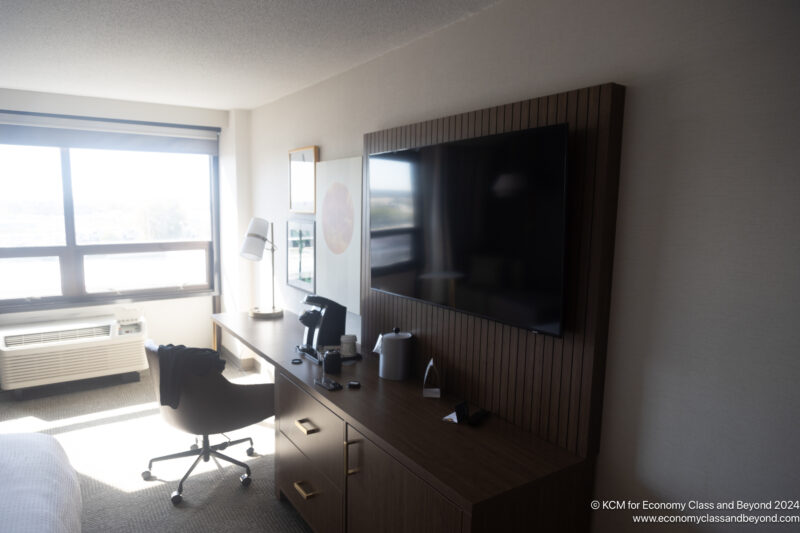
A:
<point x="29" y="277"/>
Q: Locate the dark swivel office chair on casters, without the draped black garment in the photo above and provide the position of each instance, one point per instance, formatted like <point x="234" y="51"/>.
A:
<point x="210" y="404"/>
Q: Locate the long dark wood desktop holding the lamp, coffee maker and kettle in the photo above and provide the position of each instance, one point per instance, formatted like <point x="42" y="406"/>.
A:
<point x="467" y="464"/>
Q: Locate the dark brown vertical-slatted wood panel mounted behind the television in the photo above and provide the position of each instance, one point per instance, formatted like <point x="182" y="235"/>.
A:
<point x="548" y="385"/>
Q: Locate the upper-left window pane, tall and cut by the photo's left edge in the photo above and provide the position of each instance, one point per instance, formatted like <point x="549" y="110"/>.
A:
<point x="31" y="197"/>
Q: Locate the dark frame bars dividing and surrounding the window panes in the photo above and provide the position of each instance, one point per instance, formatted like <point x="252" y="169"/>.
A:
<point x="71" y="256"/>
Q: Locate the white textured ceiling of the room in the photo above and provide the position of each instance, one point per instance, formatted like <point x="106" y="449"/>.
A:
<point x="222" y="54"/>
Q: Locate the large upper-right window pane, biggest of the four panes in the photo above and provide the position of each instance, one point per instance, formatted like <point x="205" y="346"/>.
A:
<point x="127" y="197"/>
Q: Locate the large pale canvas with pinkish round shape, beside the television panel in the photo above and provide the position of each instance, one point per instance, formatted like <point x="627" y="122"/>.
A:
<point x="339" y="221"/>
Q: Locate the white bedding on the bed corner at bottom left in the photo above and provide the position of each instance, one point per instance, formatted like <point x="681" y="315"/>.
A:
<point x="39" y="490"/>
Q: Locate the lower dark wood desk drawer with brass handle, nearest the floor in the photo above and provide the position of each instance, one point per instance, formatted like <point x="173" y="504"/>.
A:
<point x="310" y="492"/>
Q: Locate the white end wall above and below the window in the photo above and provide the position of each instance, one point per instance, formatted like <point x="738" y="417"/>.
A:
<point x="180" y="321"/>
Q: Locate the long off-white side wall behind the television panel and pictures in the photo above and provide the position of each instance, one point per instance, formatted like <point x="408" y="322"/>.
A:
<point x="701" y="387"/>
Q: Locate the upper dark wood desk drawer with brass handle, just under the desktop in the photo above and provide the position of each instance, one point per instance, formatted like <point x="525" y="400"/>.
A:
<point x="315" y="430"/>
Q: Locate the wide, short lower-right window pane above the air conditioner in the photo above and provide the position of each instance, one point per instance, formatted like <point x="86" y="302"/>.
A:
<point x="148" y="270"/>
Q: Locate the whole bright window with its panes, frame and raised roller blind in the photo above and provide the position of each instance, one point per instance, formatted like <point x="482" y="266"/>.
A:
<point x="90" y="217"/>
